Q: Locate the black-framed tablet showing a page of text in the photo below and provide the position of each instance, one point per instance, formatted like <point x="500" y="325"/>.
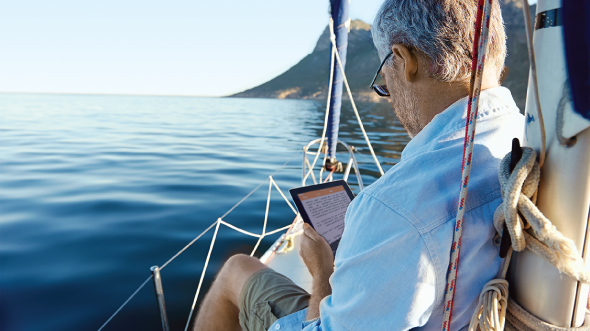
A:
<point x="323" y="206"/>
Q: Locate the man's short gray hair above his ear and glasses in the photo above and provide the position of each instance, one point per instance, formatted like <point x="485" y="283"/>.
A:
<point x="443" y="31"/>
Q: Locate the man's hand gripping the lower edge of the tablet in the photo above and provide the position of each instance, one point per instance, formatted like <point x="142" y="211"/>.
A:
<point x="316" y="253"/>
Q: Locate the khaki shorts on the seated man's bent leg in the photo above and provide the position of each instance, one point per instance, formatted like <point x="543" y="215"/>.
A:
<point x="268" y="296"/>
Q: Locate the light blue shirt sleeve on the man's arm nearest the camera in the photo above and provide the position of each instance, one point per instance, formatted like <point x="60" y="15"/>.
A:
<point x="384" y="278"/>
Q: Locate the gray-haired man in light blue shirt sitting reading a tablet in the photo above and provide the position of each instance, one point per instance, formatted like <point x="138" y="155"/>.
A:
<point x="393" y="256"/>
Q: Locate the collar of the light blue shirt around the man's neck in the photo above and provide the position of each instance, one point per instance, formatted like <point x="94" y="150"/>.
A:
<point x="454" y="117"/>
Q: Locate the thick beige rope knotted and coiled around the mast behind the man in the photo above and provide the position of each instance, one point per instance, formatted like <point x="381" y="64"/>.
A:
<point x="519" y="185"/>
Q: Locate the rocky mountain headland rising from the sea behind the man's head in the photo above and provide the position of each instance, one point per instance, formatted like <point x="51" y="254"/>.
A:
<point x="308" y="79"/>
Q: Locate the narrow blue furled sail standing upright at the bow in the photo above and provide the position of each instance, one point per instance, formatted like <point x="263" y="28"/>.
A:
<point x="341" y="18"/>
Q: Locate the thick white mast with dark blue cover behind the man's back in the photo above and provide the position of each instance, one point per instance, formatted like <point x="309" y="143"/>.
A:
<point x="564" y="190"/>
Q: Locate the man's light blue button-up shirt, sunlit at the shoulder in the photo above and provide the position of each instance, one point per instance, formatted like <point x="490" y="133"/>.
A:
<point x="391" y="265"/>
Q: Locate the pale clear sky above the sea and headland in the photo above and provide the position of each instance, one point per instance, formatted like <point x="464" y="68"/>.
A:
<point x="178" y="47"/>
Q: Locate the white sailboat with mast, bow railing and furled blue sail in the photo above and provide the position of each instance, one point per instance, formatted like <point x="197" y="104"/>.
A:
<point x="557" y="127"/>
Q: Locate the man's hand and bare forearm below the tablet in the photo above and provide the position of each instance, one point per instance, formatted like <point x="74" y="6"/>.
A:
<point x="319" y="259"/>
